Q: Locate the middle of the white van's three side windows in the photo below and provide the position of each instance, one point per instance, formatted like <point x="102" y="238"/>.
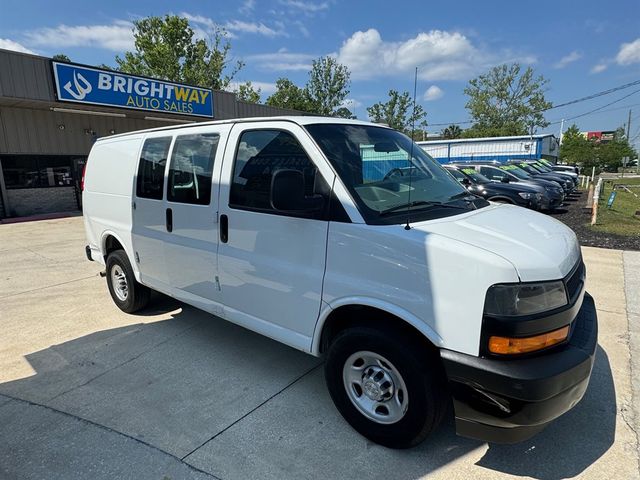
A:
<point x="191" y="168"/>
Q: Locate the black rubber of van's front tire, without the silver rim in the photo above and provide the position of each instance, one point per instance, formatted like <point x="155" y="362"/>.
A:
<point x="420" y="370"/>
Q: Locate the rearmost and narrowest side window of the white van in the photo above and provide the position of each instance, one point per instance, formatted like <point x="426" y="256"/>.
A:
<point x="153" y="159"/>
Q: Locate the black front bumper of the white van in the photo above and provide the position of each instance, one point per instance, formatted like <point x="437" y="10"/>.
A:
<point x="508" y="401"/>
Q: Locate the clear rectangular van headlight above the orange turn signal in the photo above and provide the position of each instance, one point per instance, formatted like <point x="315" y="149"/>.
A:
<point x="524" y="298"/>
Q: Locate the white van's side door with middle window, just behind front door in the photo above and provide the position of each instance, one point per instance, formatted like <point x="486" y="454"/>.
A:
<point x="192" y="198"/>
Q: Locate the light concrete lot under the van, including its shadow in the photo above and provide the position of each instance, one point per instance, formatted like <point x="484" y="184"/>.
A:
<point x="87" y="391"/>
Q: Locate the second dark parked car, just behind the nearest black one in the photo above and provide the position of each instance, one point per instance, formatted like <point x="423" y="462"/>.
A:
<point x="497" y="172"/>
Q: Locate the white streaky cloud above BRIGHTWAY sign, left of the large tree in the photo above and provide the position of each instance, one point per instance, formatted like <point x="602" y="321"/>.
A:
<point x="117" y="37"/>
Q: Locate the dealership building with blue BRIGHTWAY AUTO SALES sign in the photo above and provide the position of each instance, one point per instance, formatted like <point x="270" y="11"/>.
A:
<point x="52" y="112"/>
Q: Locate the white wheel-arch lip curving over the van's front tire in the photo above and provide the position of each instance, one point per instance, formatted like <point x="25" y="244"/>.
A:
<point x="390" y="308"/>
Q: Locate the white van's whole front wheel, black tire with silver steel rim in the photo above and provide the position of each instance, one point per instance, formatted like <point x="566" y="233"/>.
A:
<point x="389" y="389"/>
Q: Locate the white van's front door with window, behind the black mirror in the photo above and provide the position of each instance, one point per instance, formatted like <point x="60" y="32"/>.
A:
<point x="271" y="265"/>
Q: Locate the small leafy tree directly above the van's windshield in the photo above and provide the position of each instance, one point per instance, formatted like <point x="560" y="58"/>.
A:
<point x="398" y="112"/>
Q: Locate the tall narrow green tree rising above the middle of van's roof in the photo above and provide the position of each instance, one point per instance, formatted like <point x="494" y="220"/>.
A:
<point x="328" y="85"/>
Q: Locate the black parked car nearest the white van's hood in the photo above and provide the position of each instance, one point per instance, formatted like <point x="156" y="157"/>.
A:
<point x="529" y="196"/>
